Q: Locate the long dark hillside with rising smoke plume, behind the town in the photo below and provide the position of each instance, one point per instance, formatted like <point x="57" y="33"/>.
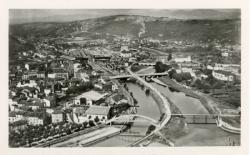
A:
<point x="152" y="27"/>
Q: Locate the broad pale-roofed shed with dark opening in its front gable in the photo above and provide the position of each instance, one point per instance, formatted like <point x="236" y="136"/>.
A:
<point x="88" y="98"/>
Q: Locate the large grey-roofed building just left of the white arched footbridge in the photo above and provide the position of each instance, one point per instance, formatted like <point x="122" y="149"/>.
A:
<point x="101" y="112"/>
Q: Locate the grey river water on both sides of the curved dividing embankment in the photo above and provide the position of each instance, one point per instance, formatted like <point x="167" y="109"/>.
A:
<point x="196" y="135"/>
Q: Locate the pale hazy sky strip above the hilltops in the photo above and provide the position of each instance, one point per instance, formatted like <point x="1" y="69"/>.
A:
<point x="63" y="15"/>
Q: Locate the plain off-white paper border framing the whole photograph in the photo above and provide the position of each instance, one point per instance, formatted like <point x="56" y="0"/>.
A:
<point x="109" y="4"/>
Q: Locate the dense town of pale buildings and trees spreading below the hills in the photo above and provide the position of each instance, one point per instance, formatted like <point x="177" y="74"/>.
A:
<point x="65" y="86"/>
